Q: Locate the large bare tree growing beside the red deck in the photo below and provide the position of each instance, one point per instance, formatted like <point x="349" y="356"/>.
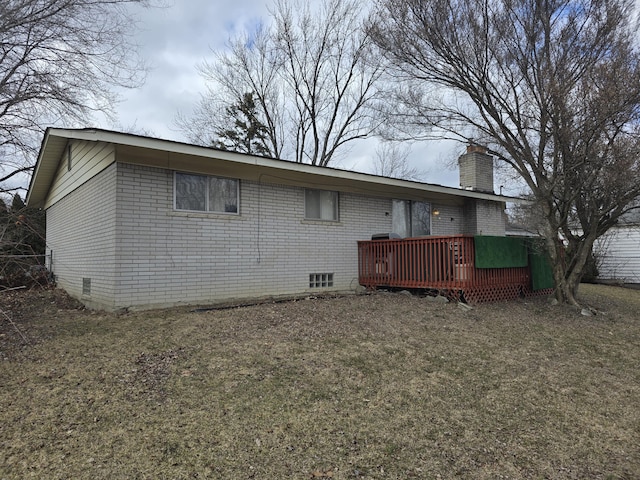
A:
<point x="552" y="87"/>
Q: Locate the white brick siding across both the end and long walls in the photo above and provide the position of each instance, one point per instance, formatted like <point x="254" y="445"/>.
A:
<point x="120" y="230"/>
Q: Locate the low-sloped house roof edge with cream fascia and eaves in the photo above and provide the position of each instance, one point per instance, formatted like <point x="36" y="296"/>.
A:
<point x="141" y="150"/>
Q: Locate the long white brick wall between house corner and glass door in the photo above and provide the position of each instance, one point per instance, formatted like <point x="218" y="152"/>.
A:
<point x="166" y="257"/>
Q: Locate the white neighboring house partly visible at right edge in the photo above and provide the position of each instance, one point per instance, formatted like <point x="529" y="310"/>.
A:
<point x="618" y="251"/>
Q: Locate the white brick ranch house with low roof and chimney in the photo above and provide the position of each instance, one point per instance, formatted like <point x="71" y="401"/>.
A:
<point x="138" y="222"/>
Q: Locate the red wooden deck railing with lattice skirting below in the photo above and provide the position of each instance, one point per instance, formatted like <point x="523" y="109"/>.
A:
<point x="443" y="263"/>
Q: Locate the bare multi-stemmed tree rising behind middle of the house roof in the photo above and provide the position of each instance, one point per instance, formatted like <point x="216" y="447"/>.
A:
<point x="311" y="74"/>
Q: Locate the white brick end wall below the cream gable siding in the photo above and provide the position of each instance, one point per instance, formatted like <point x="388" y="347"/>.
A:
<point x="81" y="239"/>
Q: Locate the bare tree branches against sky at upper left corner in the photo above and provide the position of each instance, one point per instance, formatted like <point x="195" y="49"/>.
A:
<point x="59" y="62"/>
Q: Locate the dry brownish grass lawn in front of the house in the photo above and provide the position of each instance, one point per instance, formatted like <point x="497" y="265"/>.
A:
<point x="382" y="386"/>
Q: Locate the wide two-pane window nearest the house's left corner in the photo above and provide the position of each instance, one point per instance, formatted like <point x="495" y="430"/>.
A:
<point x="206" y="194"/>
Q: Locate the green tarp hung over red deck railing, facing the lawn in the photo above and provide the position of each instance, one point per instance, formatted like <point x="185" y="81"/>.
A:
<point x="500" y="252"/>
